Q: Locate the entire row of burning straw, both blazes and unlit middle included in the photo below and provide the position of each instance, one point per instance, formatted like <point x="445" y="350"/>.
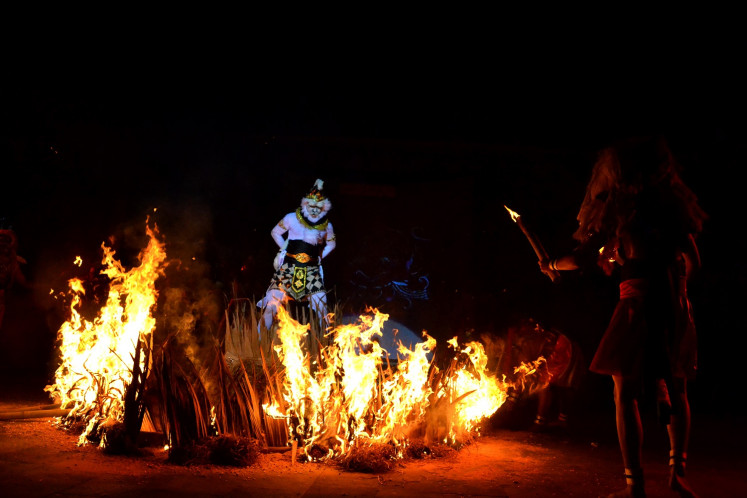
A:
<point x="332" y="394"/>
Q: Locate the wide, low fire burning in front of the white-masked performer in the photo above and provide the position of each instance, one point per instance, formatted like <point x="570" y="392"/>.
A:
<point x="352" y="395"/>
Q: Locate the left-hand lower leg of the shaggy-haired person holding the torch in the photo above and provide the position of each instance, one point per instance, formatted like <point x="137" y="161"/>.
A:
<point x="630" y="435"/>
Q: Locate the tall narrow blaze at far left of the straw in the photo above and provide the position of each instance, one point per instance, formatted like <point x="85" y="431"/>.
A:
<point x="97" y="357"/>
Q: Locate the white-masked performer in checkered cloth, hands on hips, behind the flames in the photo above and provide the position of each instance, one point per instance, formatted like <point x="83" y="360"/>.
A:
<point x="298" y="264"/>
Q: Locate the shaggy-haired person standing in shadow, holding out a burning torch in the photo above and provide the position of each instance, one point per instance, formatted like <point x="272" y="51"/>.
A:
<point x="638" y="214"/>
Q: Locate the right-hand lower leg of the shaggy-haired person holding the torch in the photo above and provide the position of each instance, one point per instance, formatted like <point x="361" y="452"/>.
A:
<point x="679" y="438"/>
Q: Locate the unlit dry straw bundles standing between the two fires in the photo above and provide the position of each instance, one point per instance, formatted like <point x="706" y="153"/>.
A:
<point x="224" y="396"/>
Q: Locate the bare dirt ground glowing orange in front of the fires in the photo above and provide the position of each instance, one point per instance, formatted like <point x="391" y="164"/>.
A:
<point x="39" y="459"/>
